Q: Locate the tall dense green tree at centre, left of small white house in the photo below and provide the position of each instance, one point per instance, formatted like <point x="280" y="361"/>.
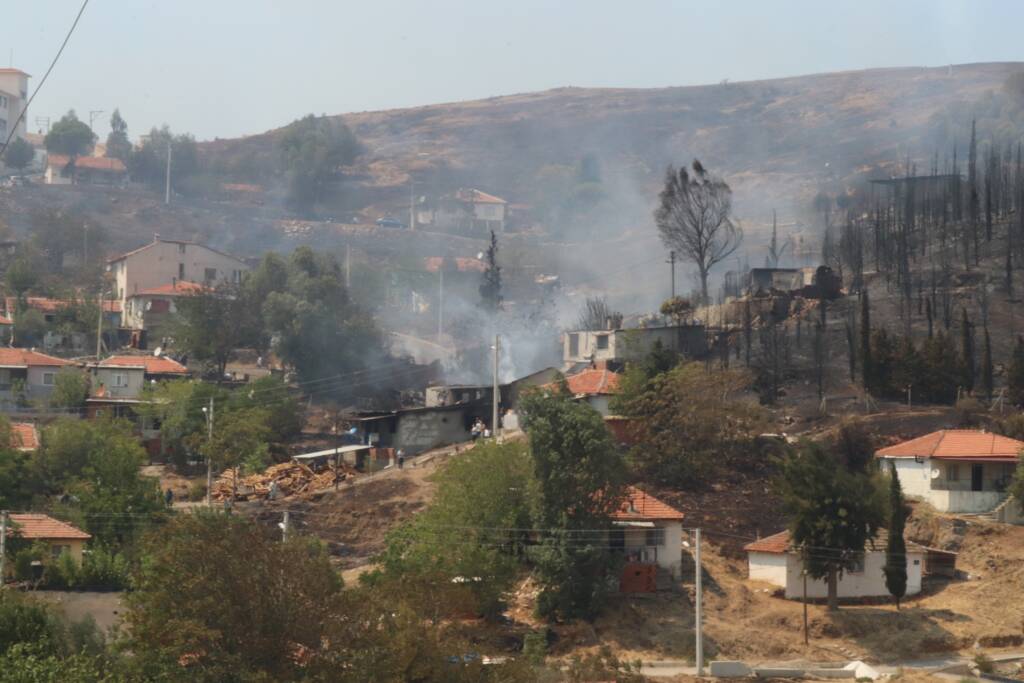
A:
<point x="578" y="483"/>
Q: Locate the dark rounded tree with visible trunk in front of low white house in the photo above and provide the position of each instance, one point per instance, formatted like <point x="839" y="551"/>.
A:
<point x="833" y="511"/>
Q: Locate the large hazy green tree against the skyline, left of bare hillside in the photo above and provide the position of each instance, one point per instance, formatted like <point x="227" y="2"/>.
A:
<point x="313" y="150"/>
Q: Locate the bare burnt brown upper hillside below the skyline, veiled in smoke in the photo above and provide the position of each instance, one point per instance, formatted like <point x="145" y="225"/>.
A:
<point x="778" y="142"/>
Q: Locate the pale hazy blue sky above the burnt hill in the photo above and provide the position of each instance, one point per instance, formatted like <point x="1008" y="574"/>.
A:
<point x="230" y="68"/>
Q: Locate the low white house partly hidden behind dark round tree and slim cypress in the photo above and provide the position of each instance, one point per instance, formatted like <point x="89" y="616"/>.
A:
<point x="776" y="562"/>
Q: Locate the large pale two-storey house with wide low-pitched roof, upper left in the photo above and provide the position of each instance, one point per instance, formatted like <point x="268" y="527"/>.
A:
<point x="165" y="263"/>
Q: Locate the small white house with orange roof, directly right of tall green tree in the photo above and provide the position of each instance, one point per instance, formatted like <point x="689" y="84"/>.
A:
<point x="649" y="532"/>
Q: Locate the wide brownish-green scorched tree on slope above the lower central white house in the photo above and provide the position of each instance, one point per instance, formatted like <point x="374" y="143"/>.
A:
<point x="690" y="423"/>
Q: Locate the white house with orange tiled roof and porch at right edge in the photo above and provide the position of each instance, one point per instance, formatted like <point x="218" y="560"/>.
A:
<point x="956" y="471"/>
